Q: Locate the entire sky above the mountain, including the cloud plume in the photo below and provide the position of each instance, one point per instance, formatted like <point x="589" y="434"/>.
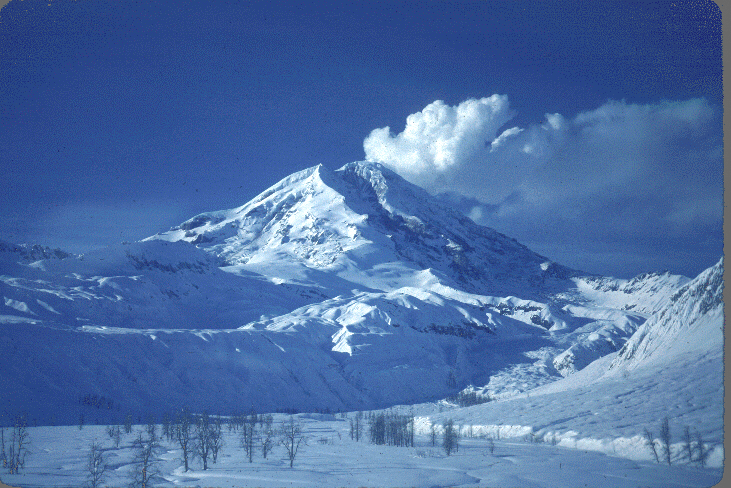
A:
<point x="120" y="120"/>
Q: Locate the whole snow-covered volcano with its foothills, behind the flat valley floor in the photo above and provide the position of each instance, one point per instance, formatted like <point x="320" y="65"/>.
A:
<point x="344" y="289"/>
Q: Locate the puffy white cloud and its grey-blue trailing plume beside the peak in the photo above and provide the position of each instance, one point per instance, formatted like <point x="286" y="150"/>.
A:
<point x="645" y="176"/>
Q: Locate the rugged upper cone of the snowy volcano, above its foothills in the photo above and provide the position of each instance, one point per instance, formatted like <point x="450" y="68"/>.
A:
<point x="362" y="220"/>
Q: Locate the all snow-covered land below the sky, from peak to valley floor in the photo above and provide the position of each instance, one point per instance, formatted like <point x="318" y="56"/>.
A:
<point x="354" y="290"/>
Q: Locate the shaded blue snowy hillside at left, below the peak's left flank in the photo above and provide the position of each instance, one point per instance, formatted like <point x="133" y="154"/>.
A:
<point x="143" y="285"/>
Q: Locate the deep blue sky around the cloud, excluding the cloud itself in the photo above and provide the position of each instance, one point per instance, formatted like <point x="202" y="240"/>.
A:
<point x="119" y="120"/>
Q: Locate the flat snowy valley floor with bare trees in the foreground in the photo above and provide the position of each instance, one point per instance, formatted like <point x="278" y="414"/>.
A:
<point x="330" y="458"/>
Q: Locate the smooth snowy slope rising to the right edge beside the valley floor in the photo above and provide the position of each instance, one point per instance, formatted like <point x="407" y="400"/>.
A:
<point x="672" y="366"/>
